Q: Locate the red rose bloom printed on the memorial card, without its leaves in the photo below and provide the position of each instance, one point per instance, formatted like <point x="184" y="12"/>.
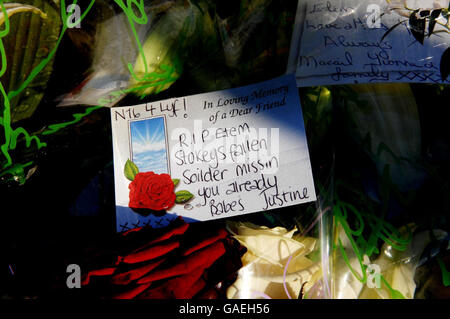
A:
<point x="152" y="191"/>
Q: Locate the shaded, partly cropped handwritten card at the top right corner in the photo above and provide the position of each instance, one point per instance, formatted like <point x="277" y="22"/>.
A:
<point x="369" y="41"/>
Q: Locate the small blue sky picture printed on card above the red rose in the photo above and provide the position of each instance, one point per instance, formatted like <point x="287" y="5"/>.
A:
<point x="148" y="143"/>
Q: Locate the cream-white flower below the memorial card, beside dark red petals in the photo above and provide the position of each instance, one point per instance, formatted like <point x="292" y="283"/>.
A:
<point x="275" y="264"/>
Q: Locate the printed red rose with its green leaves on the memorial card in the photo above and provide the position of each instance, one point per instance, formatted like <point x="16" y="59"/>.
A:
<point x="153" y="191"/>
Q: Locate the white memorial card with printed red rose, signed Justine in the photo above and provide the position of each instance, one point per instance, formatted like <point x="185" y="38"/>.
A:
<point x="211" y="156"/>
